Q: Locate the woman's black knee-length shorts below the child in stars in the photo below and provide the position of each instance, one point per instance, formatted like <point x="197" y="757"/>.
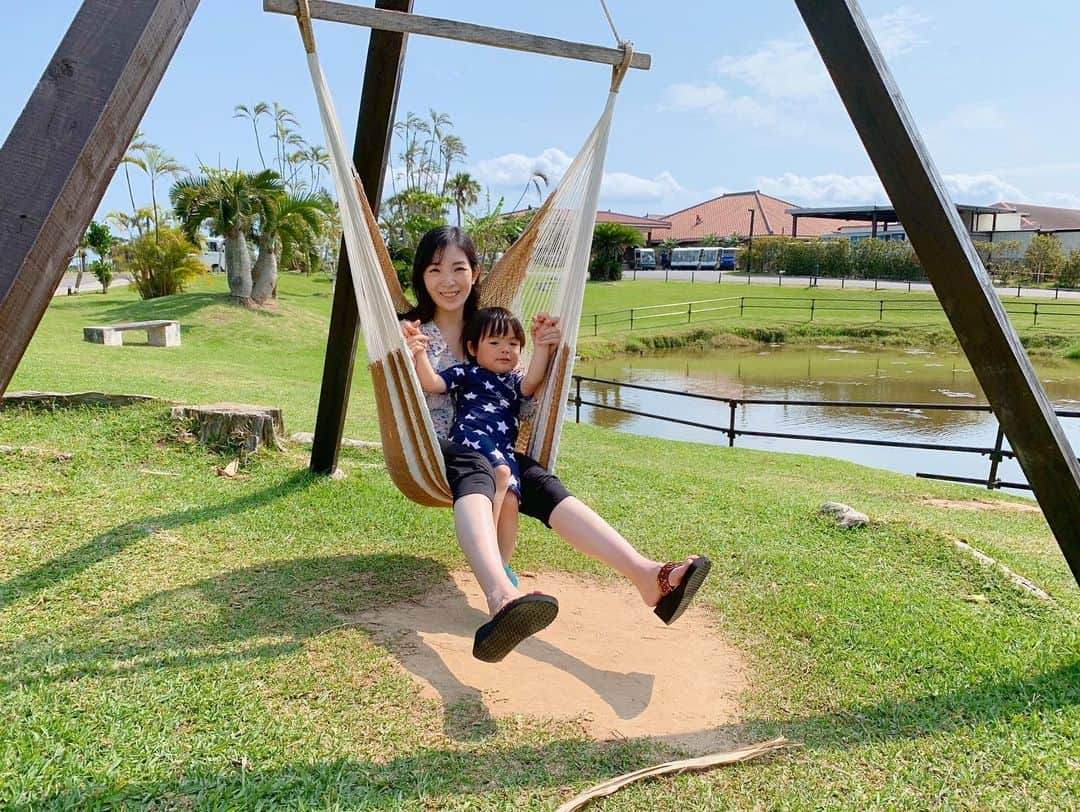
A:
<point x="470" y="472"/>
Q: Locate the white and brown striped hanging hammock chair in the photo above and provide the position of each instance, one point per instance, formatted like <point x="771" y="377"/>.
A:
<point x="544" y="272"/>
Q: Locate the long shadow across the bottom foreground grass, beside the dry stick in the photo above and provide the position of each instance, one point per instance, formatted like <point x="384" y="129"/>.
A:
<point x="431" y="773"/>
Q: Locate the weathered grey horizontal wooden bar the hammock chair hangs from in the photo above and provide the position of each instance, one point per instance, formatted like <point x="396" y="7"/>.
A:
<point x="406" y="23"/>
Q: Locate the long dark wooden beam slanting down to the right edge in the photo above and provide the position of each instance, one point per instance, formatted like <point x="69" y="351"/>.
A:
<point x="944" y="248"/>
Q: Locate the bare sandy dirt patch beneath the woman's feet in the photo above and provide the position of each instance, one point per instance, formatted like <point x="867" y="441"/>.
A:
<point x="606" y="664"/>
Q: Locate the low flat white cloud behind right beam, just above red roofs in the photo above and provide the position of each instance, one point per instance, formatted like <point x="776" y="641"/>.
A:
<point x="835" y="190"/>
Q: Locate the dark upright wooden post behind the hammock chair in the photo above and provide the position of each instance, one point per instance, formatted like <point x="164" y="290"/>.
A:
<point x="386" y="57"/>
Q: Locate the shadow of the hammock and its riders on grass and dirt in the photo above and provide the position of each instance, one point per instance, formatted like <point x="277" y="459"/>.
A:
<point x="293" y="602"/>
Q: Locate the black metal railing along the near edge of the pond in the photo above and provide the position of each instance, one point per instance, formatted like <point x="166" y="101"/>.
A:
<point x="996" y="454"/>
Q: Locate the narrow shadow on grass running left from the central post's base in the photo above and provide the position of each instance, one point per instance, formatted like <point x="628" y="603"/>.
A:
<point x="118" y="539"/>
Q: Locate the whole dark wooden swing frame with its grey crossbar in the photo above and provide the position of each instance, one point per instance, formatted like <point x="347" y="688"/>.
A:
<point x="69" y="142"/>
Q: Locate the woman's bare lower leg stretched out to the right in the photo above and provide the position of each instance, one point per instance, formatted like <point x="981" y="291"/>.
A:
<point x="588" y="533"/>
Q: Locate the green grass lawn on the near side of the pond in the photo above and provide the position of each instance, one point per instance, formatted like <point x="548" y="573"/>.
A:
<point x="174" y="640"/>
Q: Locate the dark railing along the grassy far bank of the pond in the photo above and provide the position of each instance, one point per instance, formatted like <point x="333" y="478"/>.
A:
<point x="645" y="317"/>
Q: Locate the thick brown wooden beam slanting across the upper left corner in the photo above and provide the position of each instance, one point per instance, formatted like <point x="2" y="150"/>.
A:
<point x="66" y="145"/>
